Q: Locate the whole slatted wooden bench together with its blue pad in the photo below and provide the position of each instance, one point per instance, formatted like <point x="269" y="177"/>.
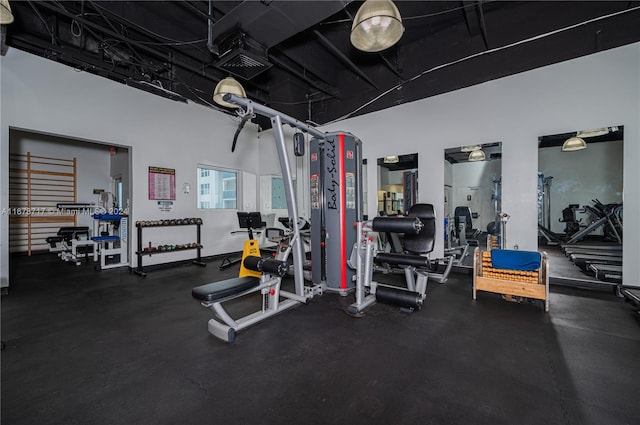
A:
<point x="507" y="272"/>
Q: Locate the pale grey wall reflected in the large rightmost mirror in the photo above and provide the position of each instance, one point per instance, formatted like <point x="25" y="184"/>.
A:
<point x="579" y="177"/>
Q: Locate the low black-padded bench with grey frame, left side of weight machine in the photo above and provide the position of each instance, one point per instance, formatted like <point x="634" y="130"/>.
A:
<point x="212" y="295"/>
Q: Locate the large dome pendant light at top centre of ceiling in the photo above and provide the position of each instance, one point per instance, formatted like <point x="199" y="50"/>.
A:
<point x="377" y="26"/>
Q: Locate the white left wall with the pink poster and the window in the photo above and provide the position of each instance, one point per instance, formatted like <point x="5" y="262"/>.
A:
<point x="43" y="96"/>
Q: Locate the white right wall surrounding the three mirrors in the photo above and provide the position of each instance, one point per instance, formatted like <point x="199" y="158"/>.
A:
<point x="599" y="90"/>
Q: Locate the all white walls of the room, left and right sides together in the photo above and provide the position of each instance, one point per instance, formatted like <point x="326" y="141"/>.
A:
<point x="590" y="92"/>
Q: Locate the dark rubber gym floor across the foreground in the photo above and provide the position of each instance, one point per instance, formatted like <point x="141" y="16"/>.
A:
<point x="88" y="347"/>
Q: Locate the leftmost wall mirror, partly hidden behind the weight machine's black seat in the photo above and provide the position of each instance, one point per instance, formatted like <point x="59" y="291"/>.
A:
<point x="397" y="184"/>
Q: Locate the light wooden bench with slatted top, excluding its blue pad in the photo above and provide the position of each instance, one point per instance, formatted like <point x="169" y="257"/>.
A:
<point x="523" y="283"/>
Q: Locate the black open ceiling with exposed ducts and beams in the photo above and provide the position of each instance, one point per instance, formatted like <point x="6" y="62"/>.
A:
<point x="295" y="56"/>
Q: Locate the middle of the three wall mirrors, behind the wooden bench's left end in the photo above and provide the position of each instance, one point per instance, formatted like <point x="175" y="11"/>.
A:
<point x="472" y="199"/>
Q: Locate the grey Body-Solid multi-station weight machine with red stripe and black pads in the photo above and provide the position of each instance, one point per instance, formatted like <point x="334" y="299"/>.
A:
<point x="337" y="191"/>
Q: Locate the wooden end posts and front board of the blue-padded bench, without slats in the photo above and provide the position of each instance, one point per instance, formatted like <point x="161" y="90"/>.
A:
<point x="539" y="290"/>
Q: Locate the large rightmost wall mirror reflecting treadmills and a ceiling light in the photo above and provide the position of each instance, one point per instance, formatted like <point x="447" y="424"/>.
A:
<point x="580" y="202"/>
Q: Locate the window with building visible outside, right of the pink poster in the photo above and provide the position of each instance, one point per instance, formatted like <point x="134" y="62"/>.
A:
<point x="217" y="188"/>
